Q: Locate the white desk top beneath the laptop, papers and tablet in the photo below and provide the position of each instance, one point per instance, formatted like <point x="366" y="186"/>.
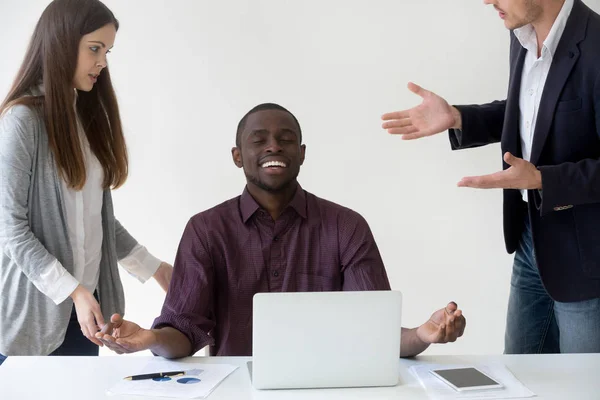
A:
<point x="571" y="377"/>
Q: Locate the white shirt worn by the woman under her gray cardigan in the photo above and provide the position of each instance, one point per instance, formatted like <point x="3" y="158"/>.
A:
<point x="84" y="220"/>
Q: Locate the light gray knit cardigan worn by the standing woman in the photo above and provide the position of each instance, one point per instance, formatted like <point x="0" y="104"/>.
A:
<point x="33" y="233"/>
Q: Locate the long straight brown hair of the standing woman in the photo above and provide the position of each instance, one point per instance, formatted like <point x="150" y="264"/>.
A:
<point x="51" y="59"/>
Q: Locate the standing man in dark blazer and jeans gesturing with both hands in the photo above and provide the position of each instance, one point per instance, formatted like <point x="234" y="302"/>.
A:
<point x="549" y="129"/>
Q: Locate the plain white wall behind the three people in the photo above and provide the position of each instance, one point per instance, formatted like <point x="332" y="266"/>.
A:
<point x="186" y="71"/>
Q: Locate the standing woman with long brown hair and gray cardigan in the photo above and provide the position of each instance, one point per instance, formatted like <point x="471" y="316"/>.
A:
<point x="62" y="150"/>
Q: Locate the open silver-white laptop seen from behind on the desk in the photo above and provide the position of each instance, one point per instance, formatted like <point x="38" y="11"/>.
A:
<point x="325" y="339"/>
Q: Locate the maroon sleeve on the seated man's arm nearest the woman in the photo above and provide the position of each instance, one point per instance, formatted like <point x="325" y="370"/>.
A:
<point x="189" y="305"/>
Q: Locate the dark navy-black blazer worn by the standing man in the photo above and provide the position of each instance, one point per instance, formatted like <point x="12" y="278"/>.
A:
<point x="565" y="215"/>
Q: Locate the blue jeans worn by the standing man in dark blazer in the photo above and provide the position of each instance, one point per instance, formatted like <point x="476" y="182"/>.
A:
<point x="537" y="324"/>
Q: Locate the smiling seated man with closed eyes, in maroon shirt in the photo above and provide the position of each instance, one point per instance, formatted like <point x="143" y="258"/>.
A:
<point x="275" y="237"/>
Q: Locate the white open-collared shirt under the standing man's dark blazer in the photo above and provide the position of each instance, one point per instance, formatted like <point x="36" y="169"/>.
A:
<point x="535" y="72"/>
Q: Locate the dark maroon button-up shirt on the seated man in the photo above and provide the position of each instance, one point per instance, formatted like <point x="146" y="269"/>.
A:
<point x="235" y="250"/>
